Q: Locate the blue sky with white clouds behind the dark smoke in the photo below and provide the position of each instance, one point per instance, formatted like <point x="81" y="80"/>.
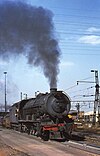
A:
<point x="77" y="30"/>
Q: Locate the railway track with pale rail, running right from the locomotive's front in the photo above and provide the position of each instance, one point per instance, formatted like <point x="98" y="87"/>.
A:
<point x="84" y="141"/>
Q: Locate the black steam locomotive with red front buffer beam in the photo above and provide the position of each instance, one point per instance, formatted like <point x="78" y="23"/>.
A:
<point x="45" y="116"/>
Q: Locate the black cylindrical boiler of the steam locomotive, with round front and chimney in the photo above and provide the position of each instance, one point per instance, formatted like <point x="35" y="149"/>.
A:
<point x="55" y="104"/>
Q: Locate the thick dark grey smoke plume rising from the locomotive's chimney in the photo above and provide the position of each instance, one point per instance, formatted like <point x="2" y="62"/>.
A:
<point x="29" y="30"/>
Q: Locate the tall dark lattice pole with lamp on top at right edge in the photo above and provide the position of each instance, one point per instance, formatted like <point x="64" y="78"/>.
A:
<point x="97" y="100"/>
